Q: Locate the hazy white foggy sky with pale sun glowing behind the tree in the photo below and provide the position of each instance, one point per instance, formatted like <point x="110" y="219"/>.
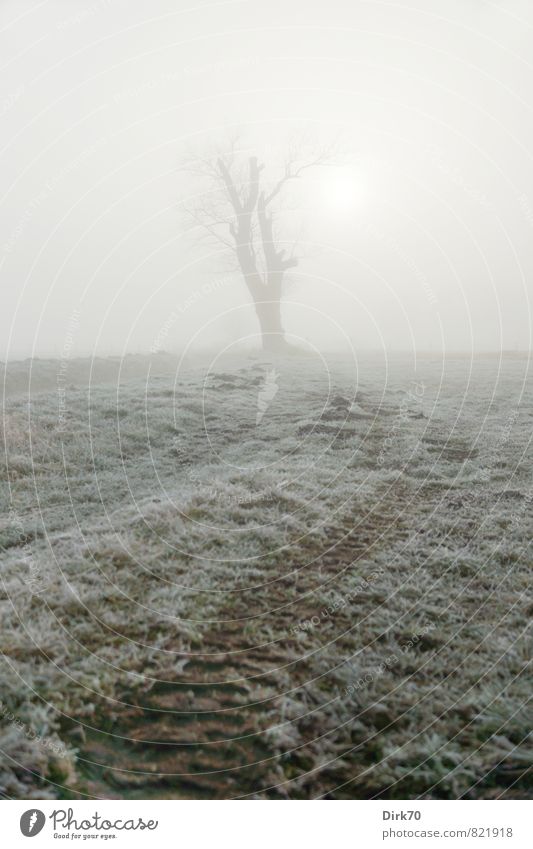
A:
<point x="424" y="241"/>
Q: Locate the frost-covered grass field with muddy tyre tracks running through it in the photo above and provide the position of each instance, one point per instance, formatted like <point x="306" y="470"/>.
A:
<point x="263" y="578"/>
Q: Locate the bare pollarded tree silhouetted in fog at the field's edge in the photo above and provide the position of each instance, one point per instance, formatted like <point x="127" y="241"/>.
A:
<point x="238" y="211"/>
